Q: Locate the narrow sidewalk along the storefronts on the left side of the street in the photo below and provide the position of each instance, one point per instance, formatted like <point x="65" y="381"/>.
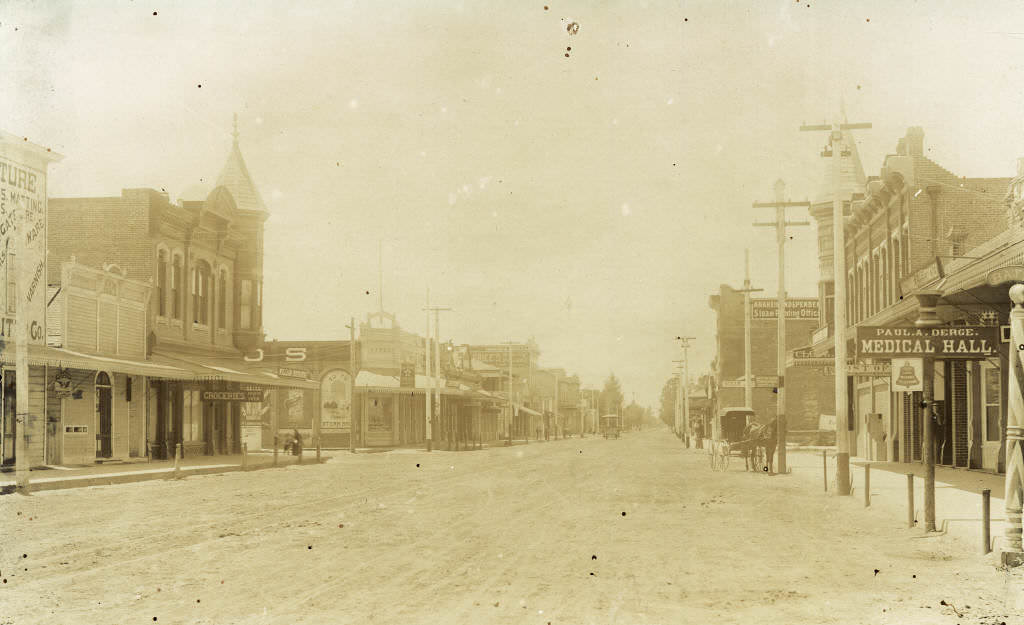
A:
<point x="57" y="478"/>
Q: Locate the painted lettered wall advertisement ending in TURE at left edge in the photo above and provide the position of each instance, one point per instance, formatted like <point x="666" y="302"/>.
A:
<point x="23" y="211"/>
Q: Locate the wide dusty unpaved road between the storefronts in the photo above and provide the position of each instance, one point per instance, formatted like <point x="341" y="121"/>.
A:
<point x="630" y="531"/>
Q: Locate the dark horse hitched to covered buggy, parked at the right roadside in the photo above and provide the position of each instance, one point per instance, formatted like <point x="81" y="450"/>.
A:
<point x="737" y="433"/>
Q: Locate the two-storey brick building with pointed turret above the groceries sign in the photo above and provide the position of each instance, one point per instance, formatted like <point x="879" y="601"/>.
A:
<point x="204" y="261"/>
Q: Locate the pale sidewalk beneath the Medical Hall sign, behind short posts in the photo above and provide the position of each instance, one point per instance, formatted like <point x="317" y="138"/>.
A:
<point x="958" y="495"/>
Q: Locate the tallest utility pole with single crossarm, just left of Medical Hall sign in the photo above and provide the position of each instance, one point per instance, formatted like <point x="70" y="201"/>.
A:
<point x="839" y="276"/>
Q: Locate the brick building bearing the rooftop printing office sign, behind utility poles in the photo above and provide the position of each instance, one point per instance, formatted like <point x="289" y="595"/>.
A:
<point x="808" y="392"/>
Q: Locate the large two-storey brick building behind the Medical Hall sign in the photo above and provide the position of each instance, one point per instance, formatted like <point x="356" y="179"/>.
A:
<point x="917" y="231"/>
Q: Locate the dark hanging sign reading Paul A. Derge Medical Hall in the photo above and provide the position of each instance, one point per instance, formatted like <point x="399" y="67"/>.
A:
<point x="956" y="343"/>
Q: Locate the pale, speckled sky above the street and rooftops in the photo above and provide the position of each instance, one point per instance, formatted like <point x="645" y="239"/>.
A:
<point x="593" y="202"/>
